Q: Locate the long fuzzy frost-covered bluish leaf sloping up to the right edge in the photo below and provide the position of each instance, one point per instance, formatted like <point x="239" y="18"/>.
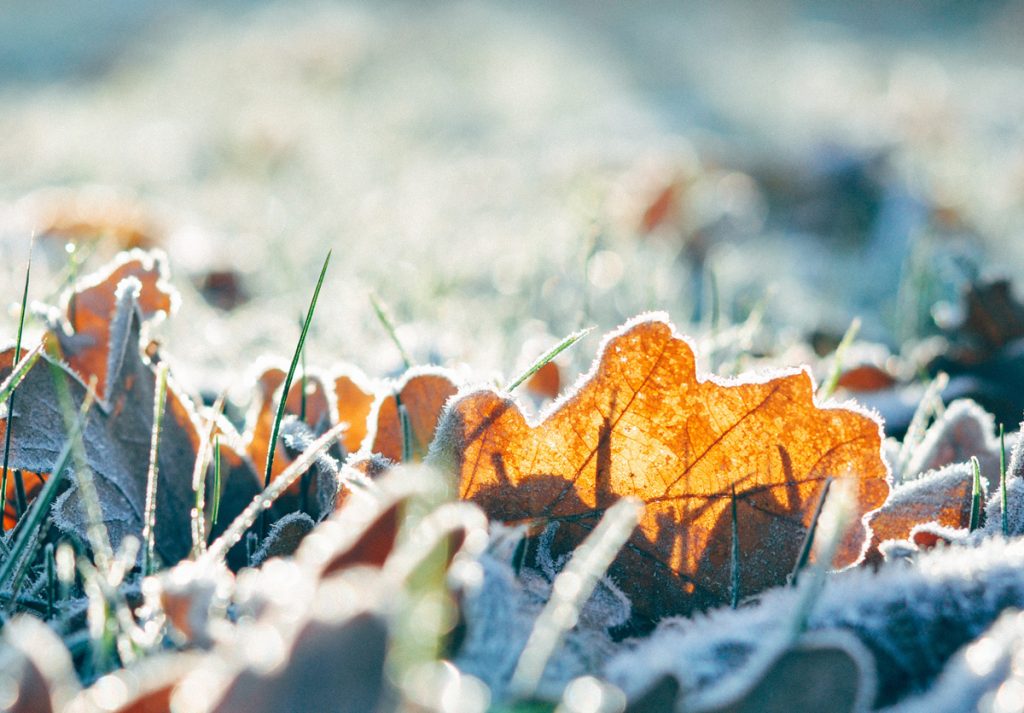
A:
<point x="912" y="618"/>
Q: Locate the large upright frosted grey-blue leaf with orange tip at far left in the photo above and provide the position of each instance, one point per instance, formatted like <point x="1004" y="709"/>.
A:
<point x="118" y="431"/>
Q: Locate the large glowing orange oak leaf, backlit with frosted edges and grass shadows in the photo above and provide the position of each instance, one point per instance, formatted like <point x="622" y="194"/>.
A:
<point x="644" y="425"/>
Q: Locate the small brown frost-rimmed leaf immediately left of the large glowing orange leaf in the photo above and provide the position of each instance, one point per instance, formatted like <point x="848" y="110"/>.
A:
<point x="423" y="394"/>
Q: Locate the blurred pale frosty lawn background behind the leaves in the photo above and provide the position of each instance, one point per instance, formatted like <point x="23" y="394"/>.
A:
<point x="501" y="175"/>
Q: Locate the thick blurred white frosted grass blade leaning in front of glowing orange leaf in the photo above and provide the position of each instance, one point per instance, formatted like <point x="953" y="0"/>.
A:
<point x="571" y="591"/>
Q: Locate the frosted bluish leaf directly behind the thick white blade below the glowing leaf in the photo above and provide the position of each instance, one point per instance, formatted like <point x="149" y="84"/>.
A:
<point x="500" y="617"/>
